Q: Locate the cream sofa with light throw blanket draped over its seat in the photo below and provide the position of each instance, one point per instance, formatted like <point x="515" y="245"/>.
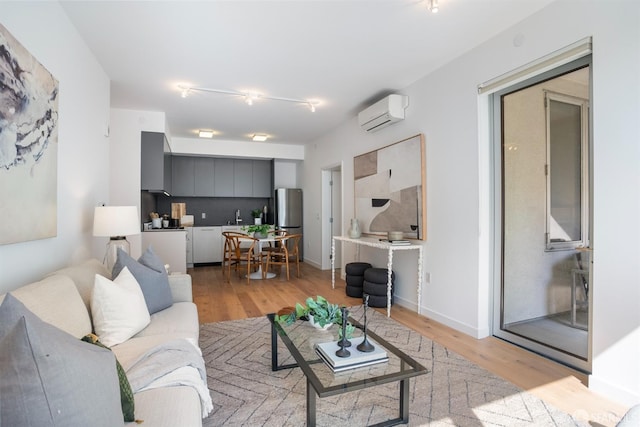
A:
<point x="63" y="299"/>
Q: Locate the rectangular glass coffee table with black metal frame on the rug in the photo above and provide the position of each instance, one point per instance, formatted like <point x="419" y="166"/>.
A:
<point x="301" y="338"/>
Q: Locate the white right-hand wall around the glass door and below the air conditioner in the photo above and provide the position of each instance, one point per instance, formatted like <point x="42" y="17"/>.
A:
<point x="446" y="108"/>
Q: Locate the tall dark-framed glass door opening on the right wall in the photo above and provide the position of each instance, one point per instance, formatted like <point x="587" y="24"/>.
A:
<point x="543" y="214"/>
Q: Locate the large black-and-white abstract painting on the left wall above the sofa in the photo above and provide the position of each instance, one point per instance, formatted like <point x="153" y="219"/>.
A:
<point x="28" y="145"/>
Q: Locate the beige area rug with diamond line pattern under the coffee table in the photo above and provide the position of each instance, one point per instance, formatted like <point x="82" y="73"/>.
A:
<point x="455" y="392"/>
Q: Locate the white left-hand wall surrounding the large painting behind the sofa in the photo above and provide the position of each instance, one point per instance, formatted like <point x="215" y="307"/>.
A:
<point x="83" y="150"/>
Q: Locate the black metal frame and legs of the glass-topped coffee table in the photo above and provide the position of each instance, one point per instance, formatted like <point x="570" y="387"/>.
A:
<point x="315" y="388"/>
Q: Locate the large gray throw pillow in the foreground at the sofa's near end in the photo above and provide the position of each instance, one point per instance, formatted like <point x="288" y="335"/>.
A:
<point x="50" y="378"/>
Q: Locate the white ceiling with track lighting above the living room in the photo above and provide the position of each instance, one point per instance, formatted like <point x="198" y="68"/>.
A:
<point x="346" y="54"/>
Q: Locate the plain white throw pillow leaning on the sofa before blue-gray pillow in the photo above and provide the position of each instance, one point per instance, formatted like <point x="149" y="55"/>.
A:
<point x="118" y="308"/>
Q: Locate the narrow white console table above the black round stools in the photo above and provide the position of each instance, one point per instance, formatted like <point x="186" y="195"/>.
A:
<point x="376" y="243"/>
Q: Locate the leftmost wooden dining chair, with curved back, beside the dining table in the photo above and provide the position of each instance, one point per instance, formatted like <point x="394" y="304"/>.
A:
<point x="240" y="250"/>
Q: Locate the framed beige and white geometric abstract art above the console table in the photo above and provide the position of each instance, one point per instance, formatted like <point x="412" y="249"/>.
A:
<point x="390" y="189"/>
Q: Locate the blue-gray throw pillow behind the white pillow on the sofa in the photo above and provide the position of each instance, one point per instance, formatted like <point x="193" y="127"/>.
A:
<point x="150" y="273"/>
